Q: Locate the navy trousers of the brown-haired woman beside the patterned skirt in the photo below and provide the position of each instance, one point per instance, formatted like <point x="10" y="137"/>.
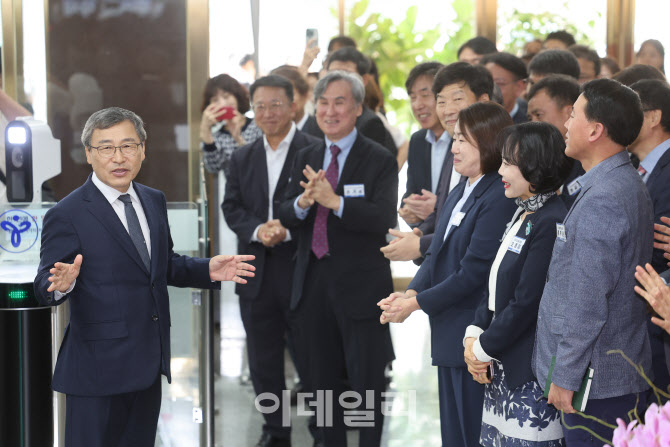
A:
<point x="461" y="404"/>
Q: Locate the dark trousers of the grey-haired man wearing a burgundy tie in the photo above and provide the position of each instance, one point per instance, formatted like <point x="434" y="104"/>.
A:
<point x="341" y="351"/>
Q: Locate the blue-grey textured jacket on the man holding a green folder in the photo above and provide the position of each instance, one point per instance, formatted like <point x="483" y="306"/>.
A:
<point x="589" y="306"/>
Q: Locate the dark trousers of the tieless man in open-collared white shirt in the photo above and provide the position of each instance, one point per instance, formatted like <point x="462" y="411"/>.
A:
<point x="266" y="320"/>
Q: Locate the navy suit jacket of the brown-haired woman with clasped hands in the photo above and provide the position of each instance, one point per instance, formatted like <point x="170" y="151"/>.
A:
<point x="452" y="279"/>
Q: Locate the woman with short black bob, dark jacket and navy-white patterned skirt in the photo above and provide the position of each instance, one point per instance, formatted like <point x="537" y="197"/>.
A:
<point x="499" y="342"/>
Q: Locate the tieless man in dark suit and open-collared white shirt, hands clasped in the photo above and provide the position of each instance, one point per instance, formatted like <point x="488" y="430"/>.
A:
<point x="256" y="184"/>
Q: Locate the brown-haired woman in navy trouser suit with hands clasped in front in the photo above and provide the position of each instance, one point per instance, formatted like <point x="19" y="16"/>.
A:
<point x="451" y="281"/>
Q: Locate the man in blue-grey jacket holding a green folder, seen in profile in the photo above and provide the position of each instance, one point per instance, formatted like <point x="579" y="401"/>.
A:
<point x="588" y="306"/>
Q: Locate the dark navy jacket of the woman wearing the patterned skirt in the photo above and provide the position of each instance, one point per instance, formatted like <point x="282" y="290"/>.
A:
<point x="519" y="285"/>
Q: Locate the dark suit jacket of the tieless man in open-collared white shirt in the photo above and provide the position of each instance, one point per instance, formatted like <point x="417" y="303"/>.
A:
<point x="245" y="205"/>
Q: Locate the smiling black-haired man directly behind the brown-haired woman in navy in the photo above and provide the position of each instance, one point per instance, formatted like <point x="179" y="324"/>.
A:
<point x="456" y="86"/>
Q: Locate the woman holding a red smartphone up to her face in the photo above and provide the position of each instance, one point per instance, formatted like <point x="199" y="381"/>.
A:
<point x="224" y="127"/>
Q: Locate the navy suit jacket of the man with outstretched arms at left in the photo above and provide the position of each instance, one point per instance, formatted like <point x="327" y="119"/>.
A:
<point x="118" y="339"/>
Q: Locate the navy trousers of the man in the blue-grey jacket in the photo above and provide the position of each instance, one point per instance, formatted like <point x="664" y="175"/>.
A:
<point x="607" y="410"/>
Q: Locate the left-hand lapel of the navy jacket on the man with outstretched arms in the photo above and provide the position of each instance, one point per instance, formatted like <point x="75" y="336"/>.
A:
<point x="96" y="203"/>
